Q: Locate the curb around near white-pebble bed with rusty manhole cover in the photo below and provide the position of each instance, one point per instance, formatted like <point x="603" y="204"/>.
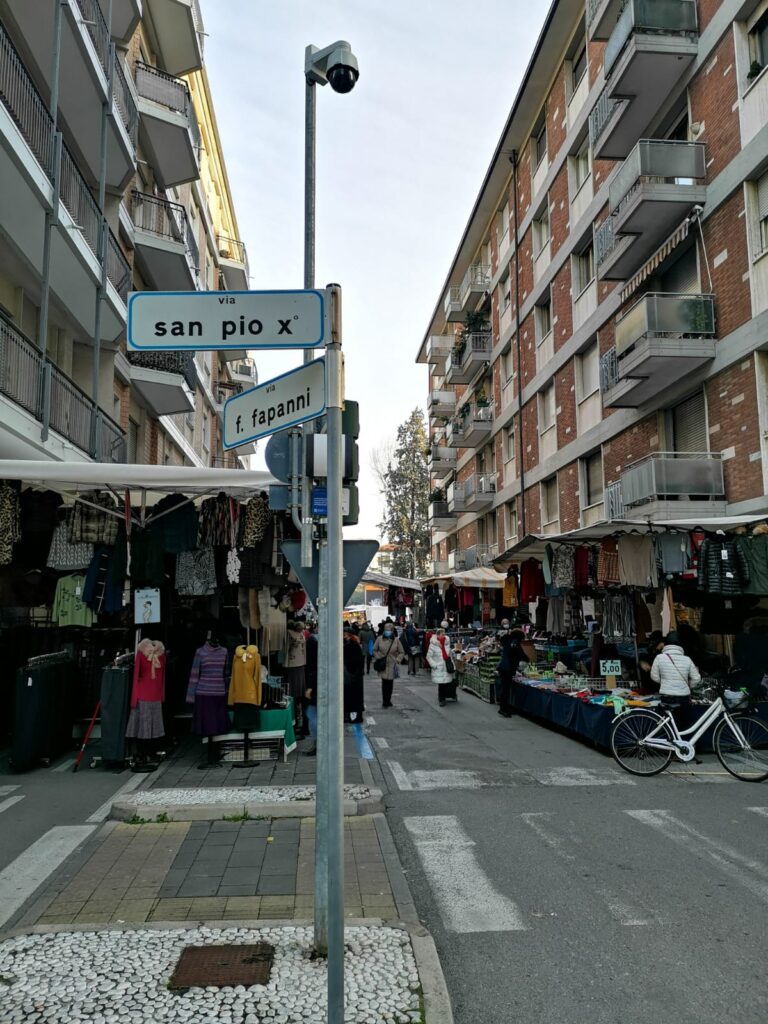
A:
<point x="435" y="992"/>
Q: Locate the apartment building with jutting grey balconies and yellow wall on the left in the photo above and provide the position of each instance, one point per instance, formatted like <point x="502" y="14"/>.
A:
<point x="114" y="181"/>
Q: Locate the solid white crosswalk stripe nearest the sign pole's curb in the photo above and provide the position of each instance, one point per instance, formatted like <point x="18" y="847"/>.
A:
<point x="467" y="899"/>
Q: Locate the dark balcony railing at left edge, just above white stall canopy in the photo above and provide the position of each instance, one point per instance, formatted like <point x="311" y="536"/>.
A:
<point x="54" y="400"/>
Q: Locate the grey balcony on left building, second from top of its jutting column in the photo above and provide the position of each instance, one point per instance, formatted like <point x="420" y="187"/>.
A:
<point x="169" y="126"/>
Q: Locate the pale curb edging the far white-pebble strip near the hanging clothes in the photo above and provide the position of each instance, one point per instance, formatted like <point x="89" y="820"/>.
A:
<point x="125" y="810"/>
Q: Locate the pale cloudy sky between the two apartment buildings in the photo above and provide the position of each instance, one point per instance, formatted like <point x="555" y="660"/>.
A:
<point x="401" y="160"/>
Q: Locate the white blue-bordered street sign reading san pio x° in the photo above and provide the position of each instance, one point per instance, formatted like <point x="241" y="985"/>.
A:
<point x="192" y="321"/>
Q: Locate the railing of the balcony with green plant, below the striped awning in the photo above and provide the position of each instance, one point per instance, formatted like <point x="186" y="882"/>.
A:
<point x="664" y="314"/>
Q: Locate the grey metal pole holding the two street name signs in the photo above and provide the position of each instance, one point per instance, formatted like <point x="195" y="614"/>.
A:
<point x="335" y="609"/>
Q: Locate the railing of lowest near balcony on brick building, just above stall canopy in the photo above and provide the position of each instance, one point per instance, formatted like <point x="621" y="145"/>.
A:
<point x="673" y="475"/>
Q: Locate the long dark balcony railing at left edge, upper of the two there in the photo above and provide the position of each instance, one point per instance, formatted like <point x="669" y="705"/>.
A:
<point x="25" y="105"/>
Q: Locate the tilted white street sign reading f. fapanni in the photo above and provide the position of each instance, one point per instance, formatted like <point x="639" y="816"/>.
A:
<point x="293" y="398"/>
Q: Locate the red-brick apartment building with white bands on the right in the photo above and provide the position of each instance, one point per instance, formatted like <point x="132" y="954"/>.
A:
<point x="600" y="351"/>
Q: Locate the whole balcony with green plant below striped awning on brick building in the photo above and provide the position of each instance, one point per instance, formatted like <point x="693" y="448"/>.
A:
<point x="661" y="340"/>
